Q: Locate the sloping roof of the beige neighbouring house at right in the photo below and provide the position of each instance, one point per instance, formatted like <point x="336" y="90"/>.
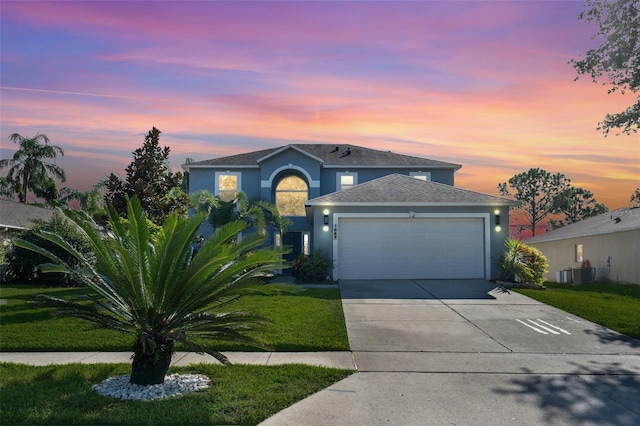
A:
<point x="620" y="220"/>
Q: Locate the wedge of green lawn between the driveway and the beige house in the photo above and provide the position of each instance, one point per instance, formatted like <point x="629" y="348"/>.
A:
<point x="615" y="306"/>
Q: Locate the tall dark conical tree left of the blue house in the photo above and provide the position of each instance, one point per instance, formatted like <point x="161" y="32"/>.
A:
<point x="150" y="178"/>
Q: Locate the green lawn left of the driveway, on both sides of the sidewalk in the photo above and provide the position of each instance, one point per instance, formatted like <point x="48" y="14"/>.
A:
<point x="311" y="320"/>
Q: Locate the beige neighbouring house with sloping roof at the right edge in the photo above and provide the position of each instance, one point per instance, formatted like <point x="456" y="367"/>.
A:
<point x="610" y="242"/>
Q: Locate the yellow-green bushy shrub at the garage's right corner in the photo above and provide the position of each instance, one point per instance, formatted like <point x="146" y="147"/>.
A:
<point x="523" y="263"/>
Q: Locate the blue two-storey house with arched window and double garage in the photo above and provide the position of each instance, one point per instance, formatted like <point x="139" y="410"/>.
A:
<point x="379" y="214"/>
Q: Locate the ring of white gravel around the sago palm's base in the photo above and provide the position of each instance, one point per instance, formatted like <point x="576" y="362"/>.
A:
<point x="174" y="385"/>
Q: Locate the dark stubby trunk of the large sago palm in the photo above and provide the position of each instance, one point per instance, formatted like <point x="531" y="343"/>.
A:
<point x="151" y="362"/>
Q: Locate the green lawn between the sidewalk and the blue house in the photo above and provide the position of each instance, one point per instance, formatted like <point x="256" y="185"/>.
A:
<point x="311" y="320"/>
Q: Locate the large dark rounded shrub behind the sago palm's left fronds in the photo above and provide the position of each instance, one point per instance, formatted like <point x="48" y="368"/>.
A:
<point x="22" y="264"/>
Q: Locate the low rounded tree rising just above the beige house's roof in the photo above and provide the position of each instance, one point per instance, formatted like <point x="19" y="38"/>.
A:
<point x="575" y="204"/>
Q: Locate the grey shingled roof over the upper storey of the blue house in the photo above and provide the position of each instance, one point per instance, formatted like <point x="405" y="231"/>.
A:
<point x="336" y="155"/>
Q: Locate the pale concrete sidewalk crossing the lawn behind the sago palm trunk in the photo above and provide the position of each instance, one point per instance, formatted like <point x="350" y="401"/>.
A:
<point x="342" y="360"/>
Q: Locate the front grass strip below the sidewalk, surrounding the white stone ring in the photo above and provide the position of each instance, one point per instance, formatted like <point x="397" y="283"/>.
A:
<point x="239" y="395"/>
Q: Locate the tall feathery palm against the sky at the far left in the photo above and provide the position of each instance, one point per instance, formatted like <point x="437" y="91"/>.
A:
<point x="30" y="171"/>
